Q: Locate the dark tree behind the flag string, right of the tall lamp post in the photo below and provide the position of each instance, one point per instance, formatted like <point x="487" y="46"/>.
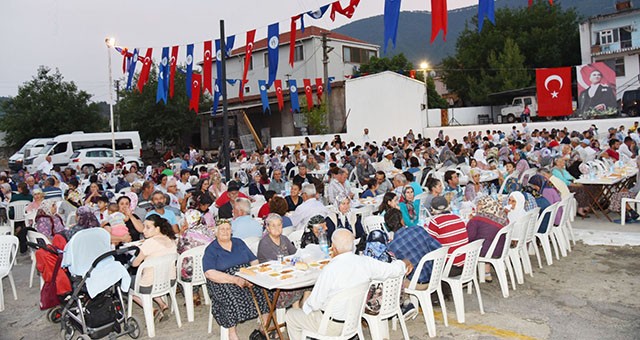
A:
<point x="170" y="122"/>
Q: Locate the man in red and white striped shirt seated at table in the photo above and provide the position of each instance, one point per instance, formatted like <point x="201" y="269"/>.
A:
<point x="448" y="229"/>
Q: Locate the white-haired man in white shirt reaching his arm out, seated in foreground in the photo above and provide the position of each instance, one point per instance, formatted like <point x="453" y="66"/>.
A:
<point x="346" y="270"/>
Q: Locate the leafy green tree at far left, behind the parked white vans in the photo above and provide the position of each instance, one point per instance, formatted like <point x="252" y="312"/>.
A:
<point x="47" y="106"/>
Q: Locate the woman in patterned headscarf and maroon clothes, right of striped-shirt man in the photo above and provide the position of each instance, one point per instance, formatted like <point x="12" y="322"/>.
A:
<point x="485" y="225"/>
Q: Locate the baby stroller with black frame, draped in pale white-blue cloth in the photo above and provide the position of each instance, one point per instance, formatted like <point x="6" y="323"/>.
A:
<point x="96" y="308"/>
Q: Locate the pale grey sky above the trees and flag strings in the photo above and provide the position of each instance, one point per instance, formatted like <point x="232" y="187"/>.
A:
<point x="69" y="34"/>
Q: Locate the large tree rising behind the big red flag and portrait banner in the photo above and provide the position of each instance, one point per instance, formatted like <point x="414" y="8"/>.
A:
<point x="546" y="36"/>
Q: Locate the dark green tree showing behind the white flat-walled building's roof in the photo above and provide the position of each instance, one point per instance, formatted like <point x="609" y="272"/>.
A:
<point x="400" y="64"/>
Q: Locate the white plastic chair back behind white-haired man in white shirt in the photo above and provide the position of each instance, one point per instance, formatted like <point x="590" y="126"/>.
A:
<point x="353" y="299"/>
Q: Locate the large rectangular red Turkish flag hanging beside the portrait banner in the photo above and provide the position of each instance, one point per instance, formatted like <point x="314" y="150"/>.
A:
<point x="554" y="91"/>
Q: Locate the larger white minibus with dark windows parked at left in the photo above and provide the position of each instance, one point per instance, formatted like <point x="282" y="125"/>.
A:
<point x="62" y="147"/>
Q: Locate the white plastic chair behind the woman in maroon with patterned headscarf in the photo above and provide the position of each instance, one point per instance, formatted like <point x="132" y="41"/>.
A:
<point x="501" y="264"/>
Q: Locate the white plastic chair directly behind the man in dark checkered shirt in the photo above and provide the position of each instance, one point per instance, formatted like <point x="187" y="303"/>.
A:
<point x="438" y="256"/>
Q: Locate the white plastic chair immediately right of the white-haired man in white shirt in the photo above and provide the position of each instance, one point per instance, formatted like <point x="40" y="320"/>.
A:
<point x="390" y="308"/>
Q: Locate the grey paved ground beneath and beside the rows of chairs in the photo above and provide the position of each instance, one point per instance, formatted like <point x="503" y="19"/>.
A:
<point x="591" y="294"/>
